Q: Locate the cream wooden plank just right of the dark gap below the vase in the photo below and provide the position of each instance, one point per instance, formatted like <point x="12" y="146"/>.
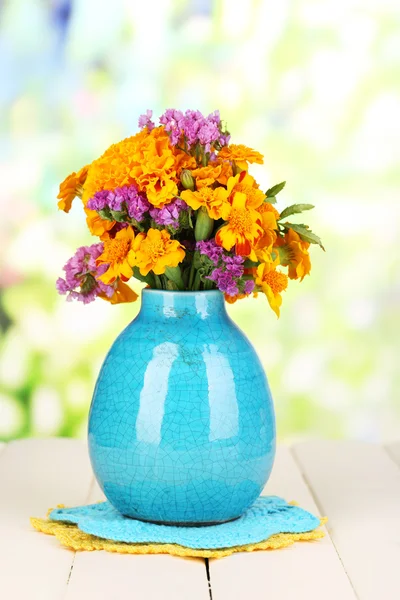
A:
<point x="309" y="570"/>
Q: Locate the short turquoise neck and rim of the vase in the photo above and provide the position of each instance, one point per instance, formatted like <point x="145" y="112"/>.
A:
<point x="160" y="304"/>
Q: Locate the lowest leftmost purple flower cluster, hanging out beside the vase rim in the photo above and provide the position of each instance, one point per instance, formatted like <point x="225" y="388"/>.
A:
<point x="81" y="274"/>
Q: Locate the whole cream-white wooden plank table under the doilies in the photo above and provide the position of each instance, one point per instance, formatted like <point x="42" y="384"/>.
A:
<point x="356" y="485"/>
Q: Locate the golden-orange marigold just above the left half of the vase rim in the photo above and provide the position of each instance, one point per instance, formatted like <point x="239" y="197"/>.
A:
<point x="156" y="251"/>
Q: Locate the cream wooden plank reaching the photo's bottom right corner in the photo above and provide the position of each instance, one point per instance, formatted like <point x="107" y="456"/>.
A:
<point x="358" y="486"/>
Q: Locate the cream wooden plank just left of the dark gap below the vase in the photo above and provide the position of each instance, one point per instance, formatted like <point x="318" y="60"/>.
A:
<point x="102" y="575"/>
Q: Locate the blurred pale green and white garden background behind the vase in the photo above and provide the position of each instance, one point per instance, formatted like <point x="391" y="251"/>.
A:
<point x="312" y="84"/>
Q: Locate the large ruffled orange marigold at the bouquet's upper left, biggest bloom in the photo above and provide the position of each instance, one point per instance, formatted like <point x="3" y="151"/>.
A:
<point x="145" y="159"/>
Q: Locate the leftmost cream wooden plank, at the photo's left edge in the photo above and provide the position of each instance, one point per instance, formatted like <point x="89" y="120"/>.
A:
<point x="36" y="475"/>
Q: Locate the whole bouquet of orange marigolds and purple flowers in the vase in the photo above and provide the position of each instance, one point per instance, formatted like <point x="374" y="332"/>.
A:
<point x="174" y="206"/>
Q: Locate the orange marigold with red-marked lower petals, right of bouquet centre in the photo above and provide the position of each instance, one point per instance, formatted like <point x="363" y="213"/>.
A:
<point x="243" y="228"/>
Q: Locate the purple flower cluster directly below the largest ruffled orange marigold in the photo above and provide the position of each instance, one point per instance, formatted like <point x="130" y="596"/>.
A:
<point x="122" y="198"/>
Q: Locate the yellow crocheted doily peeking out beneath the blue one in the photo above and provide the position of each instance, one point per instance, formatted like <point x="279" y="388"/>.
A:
<point x="75" y="539"/>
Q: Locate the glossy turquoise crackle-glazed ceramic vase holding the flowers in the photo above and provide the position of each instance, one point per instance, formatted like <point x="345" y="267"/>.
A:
<point x="181" y="426"/>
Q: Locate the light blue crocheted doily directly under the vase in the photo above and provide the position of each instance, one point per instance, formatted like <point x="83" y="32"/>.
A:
<point x="268" y="516"/>
